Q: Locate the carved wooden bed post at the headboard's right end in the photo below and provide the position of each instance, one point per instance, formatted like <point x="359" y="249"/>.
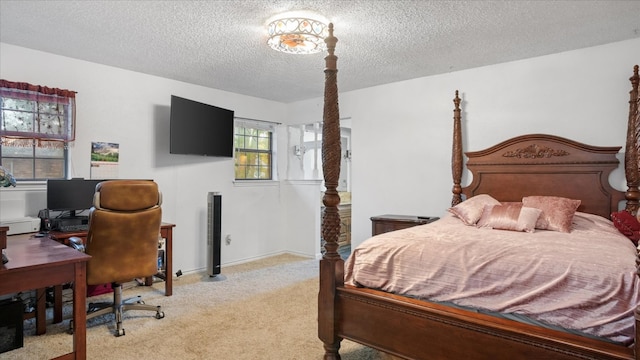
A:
<point x="632" y="147"/>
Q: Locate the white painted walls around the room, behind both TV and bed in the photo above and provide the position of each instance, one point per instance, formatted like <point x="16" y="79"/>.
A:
<point x="401" y="139"/>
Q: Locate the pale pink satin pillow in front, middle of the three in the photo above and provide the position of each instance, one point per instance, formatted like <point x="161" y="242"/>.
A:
<point x="512" y="216"/>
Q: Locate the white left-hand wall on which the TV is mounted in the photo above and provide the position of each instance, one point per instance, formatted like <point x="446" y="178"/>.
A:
<point x="132" y="109"/>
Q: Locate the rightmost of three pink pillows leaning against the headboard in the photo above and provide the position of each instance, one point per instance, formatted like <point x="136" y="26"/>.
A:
<point x="557" y="212"/>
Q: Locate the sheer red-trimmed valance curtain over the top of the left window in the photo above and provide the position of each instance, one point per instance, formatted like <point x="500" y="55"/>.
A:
<point x="34" y="112"/>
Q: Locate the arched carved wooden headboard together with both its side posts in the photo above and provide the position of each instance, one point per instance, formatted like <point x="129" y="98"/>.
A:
<point x="540" y="164"/>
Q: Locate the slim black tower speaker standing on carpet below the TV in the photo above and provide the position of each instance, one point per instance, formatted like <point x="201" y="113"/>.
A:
<point x="214" y="232"/>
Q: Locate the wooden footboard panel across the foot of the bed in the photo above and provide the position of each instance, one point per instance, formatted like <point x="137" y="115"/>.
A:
<point x="414" y="329"/>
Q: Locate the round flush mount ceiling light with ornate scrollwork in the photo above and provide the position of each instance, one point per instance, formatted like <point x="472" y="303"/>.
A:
<point x="297" y="35"/>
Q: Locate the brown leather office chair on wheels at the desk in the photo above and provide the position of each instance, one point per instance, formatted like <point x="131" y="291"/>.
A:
<point x="124" y="226"/>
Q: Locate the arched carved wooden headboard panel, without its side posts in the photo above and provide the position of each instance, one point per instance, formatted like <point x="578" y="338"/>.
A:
<point x="539" y="164"/>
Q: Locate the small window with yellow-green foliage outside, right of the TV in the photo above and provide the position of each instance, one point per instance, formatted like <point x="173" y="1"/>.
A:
<point x="253" y="142"/>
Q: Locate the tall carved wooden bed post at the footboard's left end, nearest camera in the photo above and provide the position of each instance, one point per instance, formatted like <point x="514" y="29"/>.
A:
<point x="331" y="265"/>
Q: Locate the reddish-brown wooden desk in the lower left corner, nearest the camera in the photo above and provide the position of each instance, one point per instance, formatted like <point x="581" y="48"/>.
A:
<point x="36" y="263"/>
